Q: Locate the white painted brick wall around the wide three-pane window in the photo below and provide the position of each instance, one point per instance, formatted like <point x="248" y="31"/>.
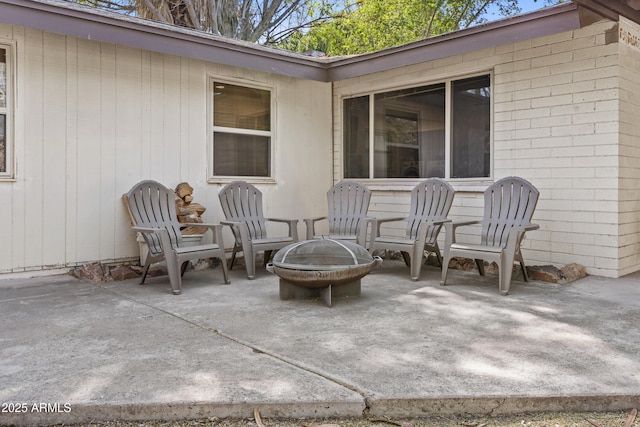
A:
<point x="557" y="102"/>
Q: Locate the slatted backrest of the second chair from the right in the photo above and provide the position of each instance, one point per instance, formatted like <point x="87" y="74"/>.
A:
<point x="431" y="200"/>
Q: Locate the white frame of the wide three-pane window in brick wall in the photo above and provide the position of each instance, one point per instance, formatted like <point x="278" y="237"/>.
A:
<point x="448" y="82"/>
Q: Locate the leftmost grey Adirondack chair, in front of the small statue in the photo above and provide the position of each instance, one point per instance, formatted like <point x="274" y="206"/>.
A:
<point x="151" y="207"/>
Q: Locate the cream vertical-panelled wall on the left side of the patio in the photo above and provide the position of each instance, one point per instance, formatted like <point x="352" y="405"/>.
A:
<point x="92" y="119"/>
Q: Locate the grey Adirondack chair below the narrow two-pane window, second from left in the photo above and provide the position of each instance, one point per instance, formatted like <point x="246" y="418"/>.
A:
<point x="242" y="206"/>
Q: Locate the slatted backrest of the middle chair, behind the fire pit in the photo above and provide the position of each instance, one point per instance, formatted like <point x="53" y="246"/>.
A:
<point x="348" y="205"/>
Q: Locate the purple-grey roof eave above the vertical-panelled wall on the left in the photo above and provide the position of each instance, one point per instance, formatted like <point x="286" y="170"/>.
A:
<point x="106" y="27"/>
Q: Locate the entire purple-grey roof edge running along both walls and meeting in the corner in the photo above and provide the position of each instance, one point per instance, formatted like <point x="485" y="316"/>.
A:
<point x="94" y="24"/>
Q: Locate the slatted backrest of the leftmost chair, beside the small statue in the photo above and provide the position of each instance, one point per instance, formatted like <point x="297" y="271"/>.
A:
<point x="151" y="204"/>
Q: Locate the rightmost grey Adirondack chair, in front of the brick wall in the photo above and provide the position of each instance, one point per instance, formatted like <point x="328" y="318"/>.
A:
<point x="508" y="207"/>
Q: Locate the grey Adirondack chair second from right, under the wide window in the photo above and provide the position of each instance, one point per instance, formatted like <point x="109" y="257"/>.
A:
<point x="430" y="204"/>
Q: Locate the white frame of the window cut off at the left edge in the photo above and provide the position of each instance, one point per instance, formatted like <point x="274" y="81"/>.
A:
<point x="9" y="111"/>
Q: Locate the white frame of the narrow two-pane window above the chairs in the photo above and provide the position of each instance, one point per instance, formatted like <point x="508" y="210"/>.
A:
<point x="212" y="129"/>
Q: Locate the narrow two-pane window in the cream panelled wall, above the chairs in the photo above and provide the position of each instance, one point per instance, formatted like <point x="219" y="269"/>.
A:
<point x="241" y="131"/>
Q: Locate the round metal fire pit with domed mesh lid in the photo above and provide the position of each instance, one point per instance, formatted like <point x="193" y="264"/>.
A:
<point x="323" y="267"/>
